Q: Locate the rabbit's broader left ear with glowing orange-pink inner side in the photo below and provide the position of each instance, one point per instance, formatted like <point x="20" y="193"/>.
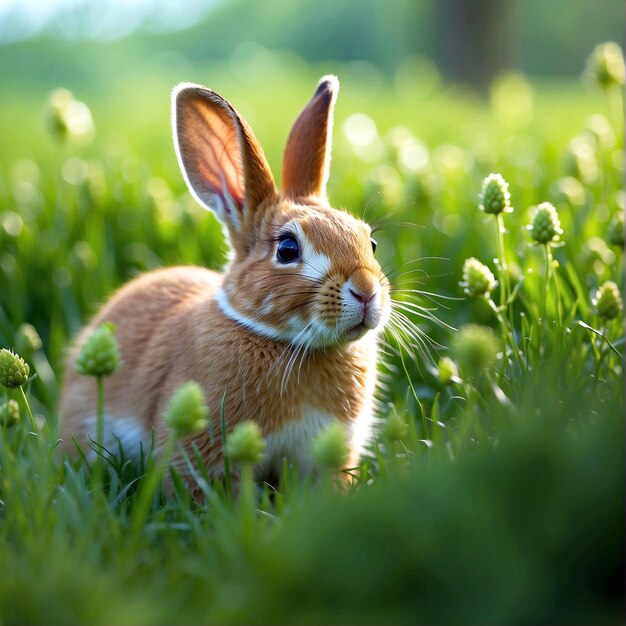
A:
<point x="221" y="159"/>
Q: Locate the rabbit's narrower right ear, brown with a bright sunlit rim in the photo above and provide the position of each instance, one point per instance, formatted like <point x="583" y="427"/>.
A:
<point x="307" y="156"/>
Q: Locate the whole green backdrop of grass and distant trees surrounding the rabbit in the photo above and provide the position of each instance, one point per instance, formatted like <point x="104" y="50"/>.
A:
<point x="502" y="501"/>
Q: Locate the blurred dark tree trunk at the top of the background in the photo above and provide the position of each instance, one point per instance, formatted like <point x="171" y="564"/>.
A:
<point x="477" y="39"/>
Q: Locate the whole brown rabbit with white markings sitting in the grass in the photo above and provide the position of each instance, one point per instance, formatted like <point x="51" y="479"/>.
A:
<point x="287" y="336"/>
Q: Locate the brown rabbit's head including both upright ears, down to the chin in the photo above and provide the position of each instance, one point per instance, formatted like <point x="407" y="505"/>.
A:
<point x="302" y="271"/>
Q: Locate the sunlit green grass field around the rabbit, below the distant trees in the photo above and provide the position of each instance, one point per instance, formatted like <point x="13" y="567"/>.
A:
<point x="494" y="497"/>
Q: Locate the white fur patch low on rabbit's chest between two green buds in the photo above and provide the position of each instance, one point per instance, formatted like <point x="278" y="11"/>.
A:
<point x="293" y="443"/>
